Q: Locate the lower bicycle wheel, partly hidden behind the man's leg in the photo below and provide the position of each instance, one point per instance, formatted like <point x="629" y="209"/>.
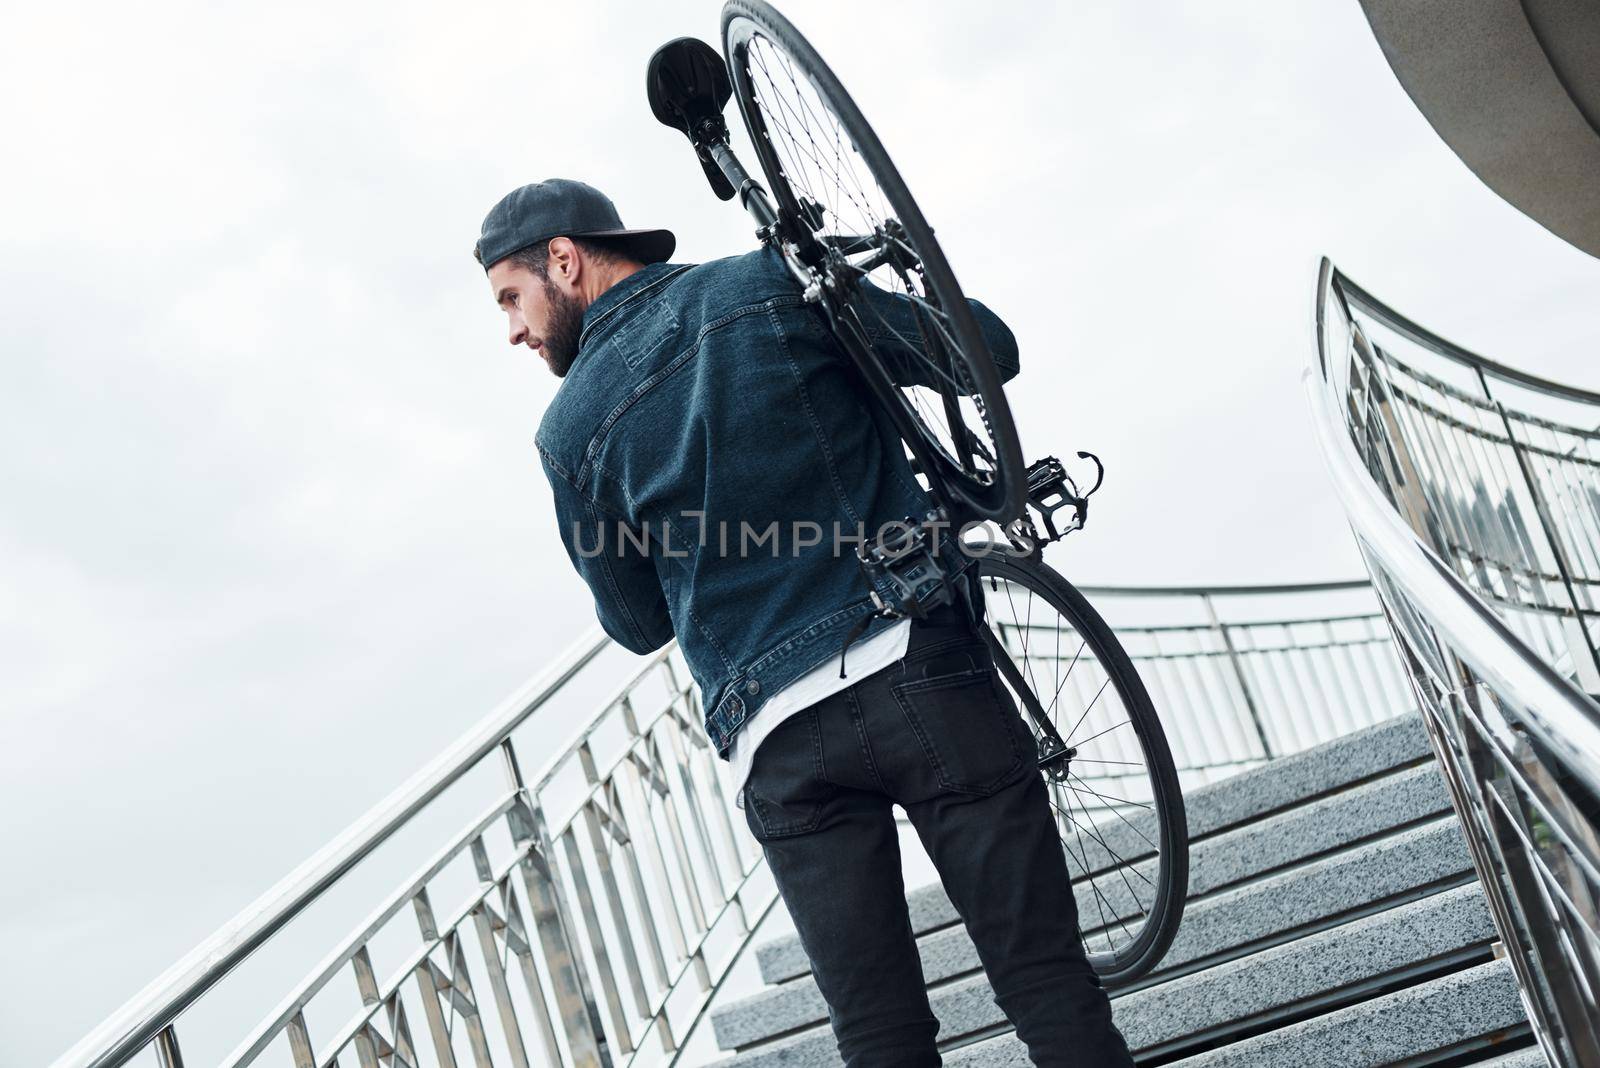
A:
<point x="1116" y="799"/>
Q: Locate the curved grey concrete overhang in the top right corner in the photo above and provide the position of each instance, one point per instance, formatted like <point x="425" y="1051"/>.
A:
<point x="1514" y="90"/>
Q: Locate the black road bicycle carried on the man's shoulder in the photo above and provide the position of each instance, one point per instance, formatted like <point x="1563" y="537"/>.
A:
<point x="1119" y="807"/>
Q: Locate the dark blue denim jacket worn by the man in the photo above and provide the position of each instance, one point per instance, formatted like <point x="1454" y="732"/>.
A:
<point x="714" y="455"/>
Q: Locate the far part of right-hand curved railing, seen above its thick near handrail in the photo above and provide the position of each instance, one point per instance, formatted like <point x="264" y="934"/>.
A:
<point x="1502" y="472"/>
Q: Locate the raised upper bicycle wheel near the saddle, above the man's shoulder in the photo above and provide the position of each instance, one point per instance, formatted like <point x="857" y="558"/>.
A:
<point x="852" y="223"/>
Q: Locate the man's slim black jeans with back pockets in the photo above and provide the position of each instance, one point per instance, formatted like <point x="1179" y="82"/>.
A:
<point x="938" y="736"/>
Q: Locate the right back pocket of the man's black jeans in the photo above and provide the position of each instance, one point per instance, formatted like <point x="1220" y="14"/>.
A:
<point x="970" y="736"/>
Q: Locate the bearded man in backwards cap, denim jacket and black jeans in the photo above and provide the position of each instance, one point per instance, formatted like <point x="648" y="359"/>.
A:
<point x="714" y="461"/>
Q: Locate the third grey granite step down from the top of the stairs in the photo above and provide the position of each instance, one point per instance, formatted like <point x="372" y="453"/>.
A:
<point x="1252" y="917"/>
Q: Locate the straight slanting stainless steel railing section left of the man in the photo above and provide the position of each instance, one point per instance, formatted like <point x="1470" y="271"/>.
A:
<point x="582" y="915"/>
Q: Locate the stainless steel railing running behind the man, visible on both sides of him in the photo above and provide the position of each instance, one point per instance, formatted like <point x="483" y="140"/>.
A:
<point x="588" y="914"/>
